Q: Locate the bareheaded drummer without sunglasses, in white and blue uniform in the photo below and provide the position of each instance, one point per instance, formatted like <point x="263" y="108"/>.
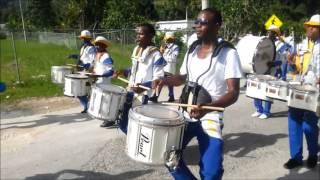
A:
<point x="147" y="66"/>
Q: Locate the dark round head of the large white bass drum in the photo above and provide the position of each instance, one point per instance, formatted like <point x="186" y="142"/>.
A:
<point x="265" y="52"/>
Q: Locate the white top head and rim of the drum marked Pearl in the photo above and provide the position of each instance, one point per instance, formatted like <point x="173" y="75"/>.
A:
<point x="156" y="115"/>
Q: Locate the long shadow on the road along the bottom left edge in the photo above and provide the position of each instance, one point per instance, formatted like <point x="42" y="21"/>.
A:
<point x="85" y="175"/>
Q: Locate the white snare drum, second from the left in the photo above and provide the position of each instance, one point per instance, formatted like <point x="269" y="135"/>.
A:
<point x="76" y="85"/>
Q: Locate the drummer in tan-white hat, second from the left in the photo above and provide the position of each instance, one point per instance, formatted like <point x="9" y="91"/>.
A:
<point x="103" y="66"/>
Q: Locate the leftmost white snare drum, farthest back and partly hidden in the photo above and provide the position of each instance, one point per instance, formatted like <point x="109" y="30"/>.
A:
<point x="58" y="73"/>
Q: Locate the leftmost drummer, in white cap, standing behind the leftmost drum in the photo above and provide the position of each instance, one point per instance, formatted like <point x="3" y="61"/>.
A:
<point x="87" y="55"/>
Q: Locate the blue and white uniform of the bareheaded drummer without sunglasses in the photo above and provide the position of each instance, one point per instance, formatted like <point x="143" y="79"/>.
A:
<point x="147" y="66"/>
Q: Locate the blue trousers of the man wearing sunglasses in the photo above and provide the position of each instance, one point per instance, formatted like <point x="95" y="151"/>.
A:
<point x="211" y="155"/>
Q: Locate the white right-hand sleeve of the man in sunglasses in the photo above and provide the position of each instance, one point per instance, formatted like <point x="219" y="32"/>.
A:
<point x="233" y="66"/>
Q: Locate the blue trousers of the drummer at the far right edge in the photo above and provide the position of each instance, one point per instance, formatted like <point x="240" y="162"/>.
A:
<point x="301" y="121"/>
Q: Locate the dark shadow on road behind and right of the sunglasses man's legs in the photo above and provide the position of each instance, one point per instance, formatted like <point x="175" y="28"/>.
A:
<point x="241" y="143"/>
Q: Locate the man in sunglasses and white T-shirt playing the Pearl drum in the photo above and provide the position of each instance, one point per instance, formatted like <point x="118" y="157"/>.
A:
<point x="211" y="73"/>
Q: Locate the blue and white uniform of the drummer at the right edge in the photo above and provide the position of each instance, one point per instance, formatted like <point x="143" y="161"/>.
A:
<point x="302" y="121"/>
